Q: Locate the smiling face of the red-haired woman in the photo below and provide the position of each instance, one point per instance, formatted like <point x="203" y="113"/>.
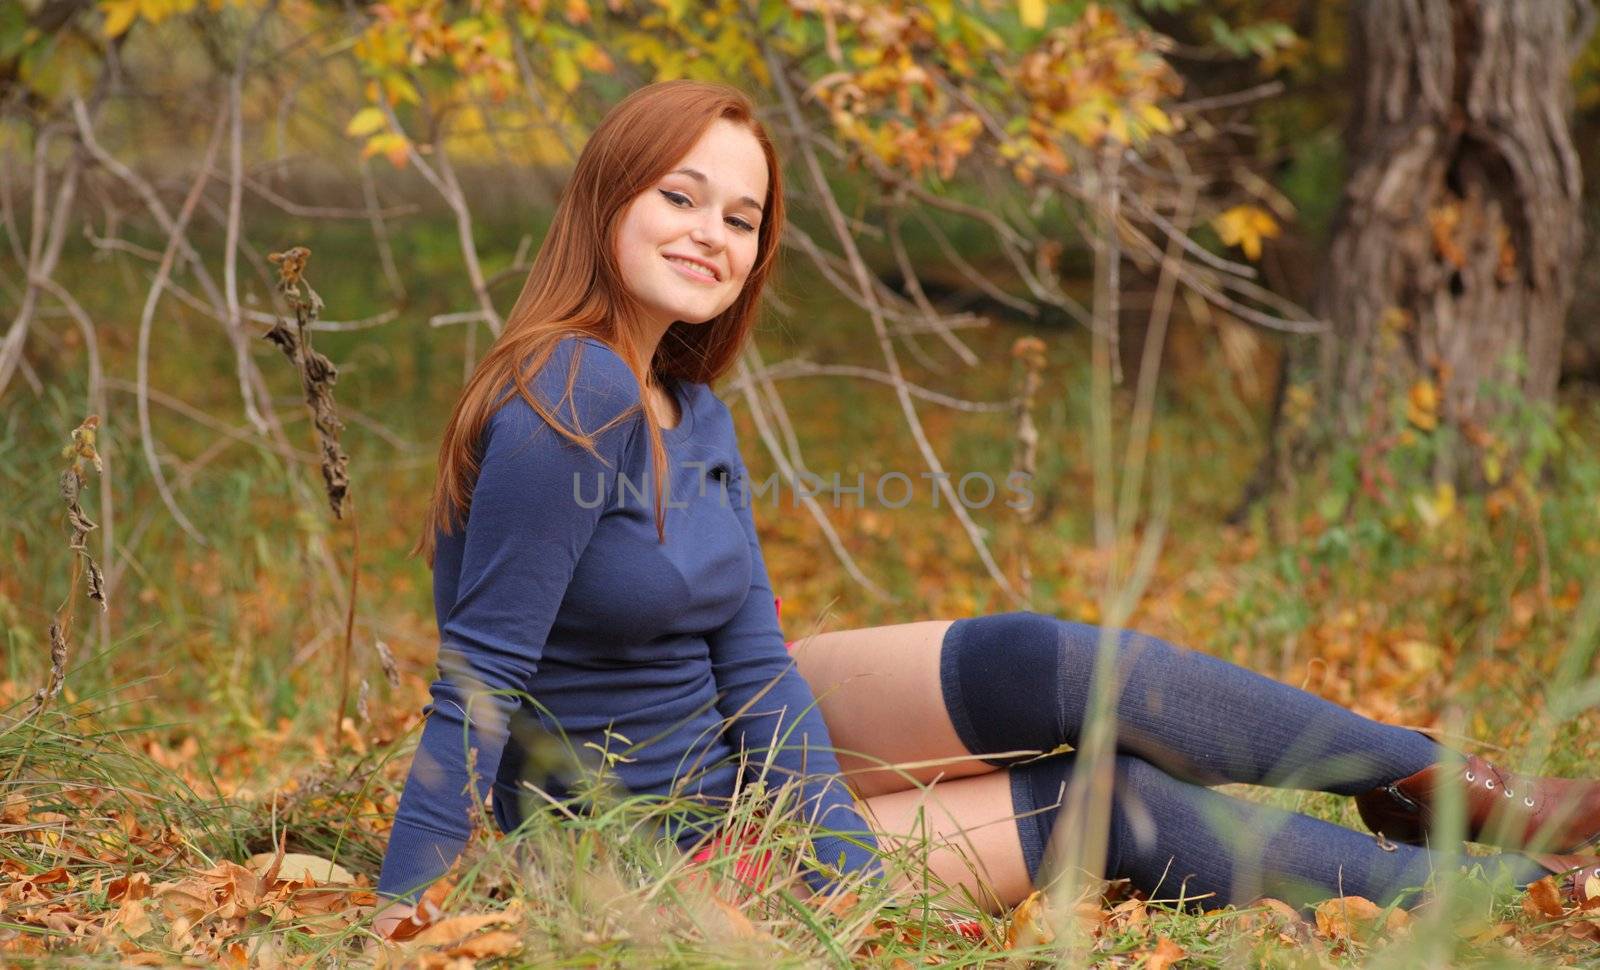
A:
<point x="687" y="244"/>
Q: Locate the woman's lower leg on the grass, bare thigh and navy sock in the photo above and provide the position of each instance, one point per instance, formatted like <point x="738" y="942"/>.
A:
<point x="986" y="838"/>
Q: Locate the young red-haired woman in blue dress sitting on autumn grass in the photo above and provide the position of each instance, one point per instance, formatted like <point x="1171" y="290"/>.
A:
<point x="582" y="593"/>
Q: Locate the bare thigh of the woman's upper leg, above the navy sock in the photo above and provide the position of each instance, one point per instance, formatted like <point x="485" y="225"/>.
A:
<point x="879" y="694"/>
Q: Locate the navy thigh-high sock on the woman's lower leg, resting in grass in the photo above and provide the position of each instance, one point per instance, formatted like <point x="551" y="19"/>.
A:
<point x="1180" y="841"/>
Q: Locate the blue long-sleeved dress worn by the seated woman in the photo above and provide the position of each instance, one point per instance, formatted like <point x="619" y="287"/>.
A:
<point x="558" y="590"/>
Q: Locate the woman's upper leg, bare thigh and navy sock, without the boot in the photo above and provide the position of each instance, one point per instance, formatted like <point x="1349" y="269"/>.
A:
<point x="950" y="699"/>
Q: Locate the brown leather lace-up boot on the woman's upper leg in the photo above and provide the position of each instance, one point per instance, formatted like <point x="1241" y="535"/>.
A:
<point x="1503" y="809"/>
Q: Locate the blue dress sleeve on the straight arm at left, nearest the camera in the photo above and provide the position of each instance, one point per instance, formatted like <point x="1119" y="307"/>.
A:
<point x="534" y="511"/>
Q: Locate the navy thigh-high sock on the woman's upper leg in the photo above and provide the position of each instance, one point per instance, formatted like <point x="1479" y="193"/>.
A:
<point x="1022" y="683"/>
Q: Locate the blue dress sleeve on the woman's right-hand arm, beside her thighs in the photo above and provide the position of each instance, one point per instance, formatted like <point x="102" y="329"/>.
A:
<point x="772" y="710"/>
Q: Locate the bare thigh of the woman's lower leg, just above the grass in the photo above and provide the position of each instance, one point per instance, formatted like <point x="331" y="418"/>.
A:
<point x="970" y="835"/>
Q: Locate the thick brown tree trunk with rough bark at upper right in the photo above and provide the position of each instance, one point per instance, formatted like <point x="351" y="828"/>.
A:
<point x="1454" y="255"/>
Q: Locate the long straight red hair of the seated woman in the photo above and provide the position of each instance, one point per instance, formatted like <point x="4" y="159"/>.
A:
<point x="575" y="287"/>
